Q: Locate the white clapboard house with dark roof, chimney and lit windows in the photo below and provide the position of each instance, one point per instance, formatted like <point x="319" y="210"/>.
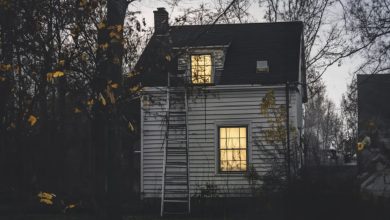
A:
<point x="219" y="75"/>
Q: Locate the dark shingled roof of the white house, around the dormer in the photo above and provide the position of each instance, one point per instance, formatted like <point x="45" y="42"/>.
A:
<point x="278" y="43"/>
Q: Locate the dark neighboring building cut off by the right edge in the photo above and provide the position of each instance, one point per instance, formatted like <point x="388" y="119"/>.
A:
<point x="374" y="133"/>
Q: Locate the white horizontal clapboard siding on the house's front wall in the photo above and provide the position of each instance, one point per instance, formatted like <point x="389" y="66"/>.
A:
<point x="208" y="109"/>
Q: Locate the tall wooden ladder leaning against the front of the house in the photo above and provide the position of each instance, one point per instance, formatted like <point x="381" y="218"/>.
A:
<point x="175" y="190"/>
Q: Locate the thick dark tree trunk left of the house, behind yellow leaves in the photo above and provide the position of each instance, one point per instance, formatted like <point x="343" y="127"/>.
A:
<point x="106" y="127"/>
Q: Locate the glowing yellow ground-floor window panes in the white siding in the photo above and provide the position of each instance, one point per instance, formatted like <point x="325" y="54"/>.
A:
<point x="233" y="148"/>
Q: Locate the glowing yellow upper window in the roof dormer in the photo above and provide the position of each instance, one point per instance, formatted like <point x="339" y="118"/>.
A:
<point x="201" y="69"/>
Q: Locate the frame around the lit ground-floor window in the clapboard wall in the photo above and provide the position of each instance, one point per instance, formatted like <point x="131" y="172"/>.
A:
<point x="219" y="147"/>
